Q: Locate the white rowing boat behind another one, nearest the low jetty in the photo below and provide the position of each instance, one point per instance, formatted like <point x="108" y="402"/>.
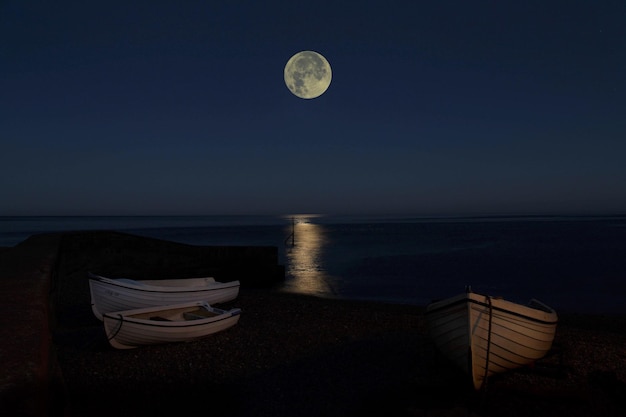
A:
<point x="109" y="294"/>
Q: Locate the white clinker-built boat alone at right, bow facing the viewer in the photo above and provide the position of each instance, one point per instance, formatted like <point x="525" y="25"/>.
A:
<point x="485" y="335"/>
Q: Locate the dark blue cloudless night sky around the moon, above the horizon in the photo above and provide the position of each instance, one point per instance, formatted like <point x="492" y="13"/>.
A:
<point x="435" y="108"/>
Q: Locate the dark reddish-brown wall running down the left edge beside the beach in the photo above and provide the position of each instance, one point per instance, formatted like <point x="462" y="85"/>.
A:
<point x="30" y="381"/>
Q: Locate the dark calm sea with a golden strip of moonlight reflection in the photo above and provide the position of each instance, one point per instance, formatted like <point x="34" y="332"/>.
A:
<point x="572" y="263"/>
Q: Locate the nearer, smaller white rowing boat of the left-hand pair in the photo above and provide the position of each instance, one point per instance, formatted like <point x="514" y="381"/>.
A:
<point x="166" y="324"/>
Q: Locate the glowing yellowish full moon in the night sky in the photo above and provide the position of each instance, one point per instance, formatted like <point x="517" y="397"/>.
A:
<point x="307" y="74"/>
